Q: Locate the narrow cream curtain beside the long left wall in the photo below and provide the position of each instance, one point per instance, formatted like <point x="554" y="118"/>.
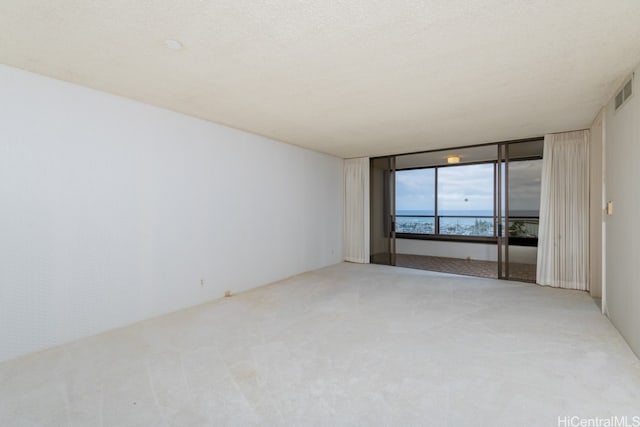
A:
<point x="356" y="210"/>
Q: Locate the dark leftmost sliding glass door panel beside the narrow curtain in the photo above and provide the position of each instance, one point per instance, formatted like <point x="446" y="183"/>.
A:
<point x="383" y="210"/>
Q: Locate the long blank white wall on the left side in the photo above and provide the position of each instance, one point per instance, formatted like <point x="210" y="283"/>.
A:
<point x="112" y="211"/>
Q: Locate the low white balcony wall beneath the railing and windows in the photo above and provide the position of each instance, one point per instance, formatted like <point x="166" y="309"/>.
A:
<point x="477" y="251"/>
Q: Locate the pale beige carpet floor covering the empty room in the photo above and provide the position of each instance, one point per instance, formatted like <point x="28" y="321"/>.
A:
<point x="347" y="345"/>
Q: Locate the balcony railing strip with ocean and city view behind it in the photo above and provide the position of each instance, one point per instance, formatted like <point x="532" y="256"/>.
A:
<point x="465" y="225"/>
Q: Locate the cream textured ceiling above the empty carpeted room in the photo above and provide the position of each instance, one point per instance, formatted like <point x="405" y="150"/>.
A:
<point x="351" y="78"/>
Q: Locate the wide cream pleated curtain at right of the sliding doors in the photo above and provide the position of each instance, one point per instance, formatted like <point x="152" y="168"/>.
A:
<point x="563" y="237"/>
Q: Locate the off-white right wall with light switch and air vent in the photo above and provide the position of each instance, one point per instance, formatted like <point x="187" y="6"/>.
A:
<point x="622" y="247"/>
